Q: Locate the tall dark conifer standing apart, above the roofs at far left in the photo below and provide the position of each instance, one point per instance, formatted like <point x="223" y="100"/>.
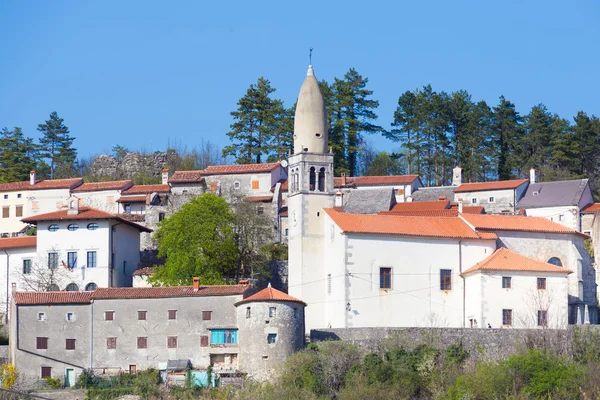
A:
<point x="56" y="145"/>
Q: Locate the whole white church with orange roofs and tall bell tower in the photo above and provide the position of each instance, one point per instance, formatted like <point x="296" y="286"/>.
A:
<point x="384" y="270"/>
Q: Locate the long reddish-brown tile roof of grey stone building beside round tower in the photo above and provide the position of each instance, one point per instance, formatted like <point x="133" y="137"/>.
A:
<point x="31" y="298"/>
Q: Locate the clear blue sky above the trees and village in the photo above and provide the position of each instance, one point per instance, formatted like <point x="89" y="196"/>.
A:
<point x="146" y="73"/>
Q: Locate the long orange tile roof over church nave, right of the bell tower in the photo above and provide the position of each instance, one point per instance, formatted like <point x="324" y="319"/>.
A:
<point x="401" y="225"/>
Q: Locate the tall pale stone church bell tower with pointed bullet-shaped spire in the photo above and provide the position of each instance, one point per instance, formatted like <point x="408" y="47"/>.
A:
<point x="310" y="189"/>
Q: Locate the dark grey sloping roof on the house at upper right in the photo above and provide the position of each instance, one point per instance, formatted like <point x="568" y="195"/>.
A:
<point x="553" y="194"/>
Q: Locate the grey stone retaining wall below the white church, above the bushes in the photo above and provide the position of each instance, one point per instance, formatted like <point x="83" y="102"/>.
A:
<point x="481" y="344"/>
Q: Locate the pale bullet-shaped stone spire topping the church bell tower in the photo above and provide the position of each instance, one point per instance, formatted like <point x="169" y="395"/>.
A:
<point x="310" y="122"/>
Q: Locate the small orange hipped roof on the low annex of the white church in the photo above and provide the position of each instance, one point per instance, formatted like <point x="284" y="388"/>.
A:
<point x="505" y="260"/>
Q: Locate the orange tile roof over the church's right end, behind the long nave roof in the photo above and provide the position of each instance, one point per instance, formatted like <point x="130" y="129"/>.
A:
<point x="516" y="223"/>
